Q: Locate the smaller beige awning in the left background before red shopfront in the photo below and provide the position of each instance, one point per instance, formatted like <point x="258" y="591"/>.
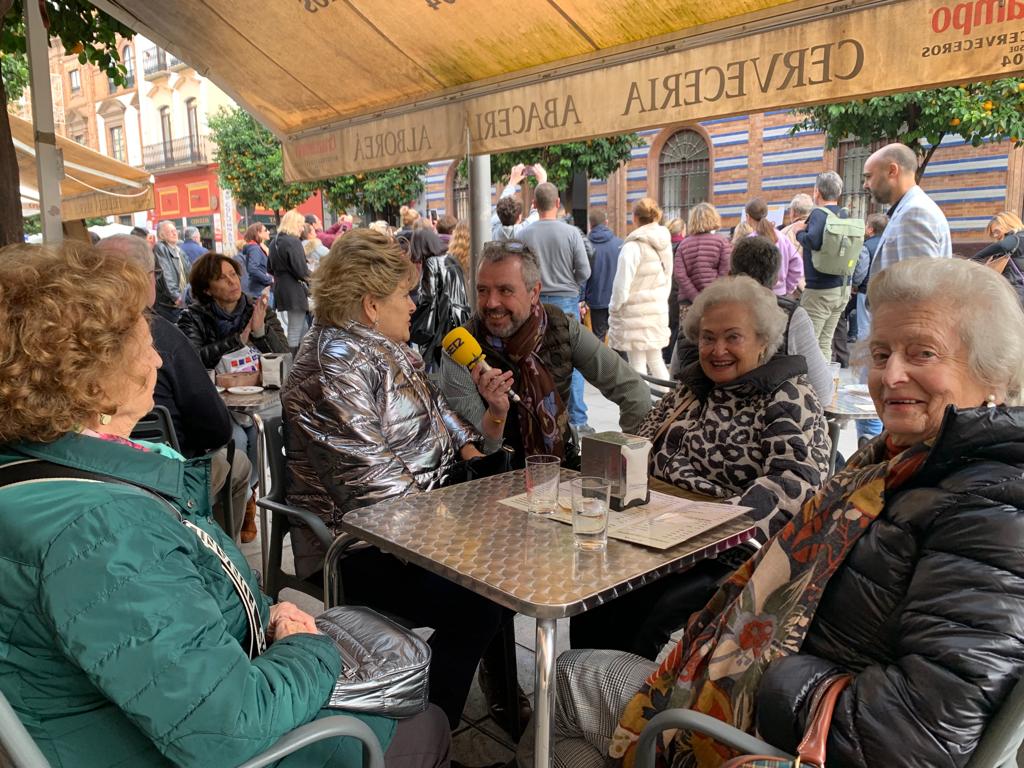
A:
<point x="94" y="185"/>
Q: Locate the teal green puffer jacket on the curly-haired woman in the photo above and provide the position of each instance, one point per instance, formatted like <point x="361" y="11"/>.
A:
<point x="121" y="637"/>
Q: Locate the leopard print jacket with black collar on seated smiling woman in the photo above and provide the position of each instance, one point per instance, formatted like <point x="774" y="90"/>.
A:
<point x="760" y="441"/>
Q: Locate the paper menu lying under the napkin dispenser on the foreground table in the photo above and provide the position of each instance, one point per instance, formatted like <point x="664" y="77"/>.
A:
<point x="663" y="523"/>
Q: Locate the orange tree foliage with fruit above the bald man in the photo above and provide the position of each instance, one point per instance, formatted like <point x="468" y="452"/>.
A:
<point x="977" y="112"/>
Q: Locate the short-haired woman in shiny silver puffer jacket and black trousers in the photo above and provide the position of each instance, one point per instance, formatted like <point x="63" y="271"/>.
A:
<point x="363" y="424"/>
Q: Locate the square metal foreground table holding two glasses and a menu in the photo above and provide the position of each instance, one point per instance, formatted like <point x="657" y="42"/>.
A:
<point x="524" y="562"/>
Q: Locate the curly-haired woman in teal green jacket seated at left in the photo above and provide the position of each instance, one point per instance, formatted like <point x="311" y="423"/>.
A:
<point x="135" y="631"/>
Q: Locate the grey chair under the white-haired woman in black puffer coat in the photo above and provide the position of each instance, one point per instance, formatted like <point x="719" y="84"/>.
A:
<point x="998" y="748"/>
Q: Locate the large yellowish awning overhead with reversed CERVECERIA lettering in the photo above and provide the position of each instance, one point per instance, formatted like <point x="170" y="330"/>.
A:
<point x="359" y="84"/>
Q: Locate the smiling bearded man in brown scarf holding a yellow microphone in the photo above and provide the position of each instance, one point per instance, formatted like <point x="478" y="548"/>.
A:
<point x="531" y="349"/>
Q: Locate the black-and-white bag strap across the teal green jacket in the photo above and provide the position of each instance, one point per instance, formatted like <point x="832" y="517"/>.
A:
<point x="35" y="471"/>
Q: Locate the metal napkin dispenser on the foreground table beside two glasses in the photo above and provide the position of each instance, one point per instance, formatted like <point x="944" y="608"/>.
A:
<point x="622" y="460"/>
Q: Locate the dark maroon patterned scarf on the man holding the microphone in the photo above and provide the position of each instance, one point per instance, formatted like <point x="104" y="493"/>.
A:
<point x="542" y="414"/>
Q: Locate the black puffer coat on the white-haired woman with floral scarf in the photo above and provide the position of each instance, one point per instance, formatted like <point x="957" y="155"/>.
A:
<point x="927" y="612"/>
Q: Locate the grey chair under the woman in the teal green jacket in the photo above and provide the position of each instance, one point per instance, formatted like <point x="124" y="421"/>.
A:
<point x="19" y="751"/>
